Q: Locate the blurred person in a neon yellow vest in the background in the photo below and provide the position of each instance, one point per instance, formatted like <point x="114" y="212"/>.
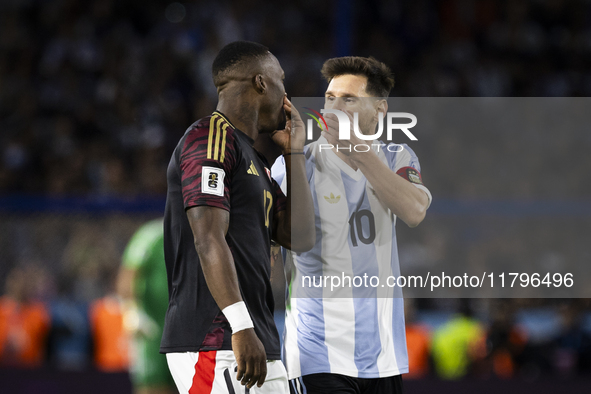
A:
<point x="458" y="344"/>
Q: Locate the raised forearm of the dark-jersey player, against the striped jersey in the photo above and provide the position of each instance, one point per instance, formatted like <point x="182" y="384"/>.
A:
<point x="298" y="222"/>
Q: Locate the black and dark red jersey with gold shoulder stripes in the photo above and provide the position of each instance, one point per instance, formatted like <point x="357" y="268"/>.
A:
<point x="215" y="164"/>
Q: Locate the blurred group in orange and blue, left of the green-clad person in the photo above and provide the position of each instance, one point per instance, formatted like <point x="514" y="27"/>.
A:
<point x="64" y="333"/>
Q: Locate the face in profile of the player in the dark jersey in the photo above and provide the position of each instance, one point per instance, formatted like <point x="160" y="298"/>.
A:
<point x="274" y="96"/>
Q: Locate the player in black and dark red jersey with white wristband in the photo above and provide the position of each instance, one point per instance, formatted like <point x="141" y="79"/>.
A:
<point x="222" y="210"/>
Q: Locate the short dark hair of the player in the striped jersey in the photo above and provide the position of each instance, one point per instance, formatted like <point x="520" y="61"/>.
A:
<point x="380" y="79"/>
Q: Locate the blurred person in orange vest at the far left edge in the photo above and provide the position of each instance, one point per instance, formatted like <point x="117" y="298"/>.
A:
<point x="24" y="322"/>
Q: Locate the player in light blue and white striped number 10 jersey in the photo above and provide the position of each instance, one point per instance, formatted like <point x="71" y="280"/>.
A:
<point x="352" y="340"/>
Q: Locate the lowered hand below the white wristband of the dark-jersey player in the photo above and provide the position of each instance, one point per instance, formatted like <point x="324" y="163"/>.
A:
<point x="250" y="357"/>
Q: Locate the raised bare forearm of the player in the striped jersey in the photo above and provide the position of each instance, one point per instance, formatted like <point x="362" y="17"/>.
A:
<point x="399" y="195"/>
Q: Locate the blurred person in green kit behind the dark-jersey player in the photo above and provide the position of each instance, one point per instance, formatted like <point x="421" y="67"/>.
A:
<point x="142" y="286"/>
